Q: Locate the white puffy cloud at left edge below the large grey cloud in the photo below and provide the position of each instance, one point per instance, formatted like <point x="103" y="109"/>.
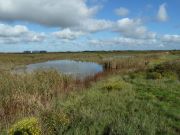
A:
<point x="19" y="33"/>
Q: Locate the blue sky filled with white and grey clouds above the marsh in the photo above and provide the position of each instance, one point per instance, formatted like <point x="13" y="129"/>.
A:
<point x="89" y="25"/>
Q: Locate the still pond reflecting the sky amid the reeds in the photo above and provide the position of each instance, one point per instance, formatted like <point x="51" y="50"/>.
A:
<point x="77" y="69"/>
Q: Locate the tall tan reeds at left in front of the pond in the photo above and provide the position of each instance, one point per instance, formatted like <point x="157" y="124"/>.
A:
<point x="26" y="94"/>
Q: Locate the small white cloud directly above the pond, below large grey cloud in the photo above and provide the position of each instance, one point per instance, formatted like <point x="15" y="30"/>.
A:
<point x="68" y="34"/>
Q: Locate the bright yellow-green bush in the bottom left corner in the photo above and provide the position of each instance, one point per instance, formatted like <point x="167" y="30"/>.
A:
<point x="27" y="126"/>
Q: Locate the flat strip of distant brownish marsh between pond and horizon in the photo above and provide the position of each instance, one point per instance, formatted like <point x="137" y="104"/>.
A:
<point x="10" y="61"/>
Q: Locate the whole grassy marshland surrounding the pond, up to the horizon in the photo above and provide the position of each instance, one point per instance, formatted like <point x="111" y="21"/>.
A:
<point x="138" y="93"/>
